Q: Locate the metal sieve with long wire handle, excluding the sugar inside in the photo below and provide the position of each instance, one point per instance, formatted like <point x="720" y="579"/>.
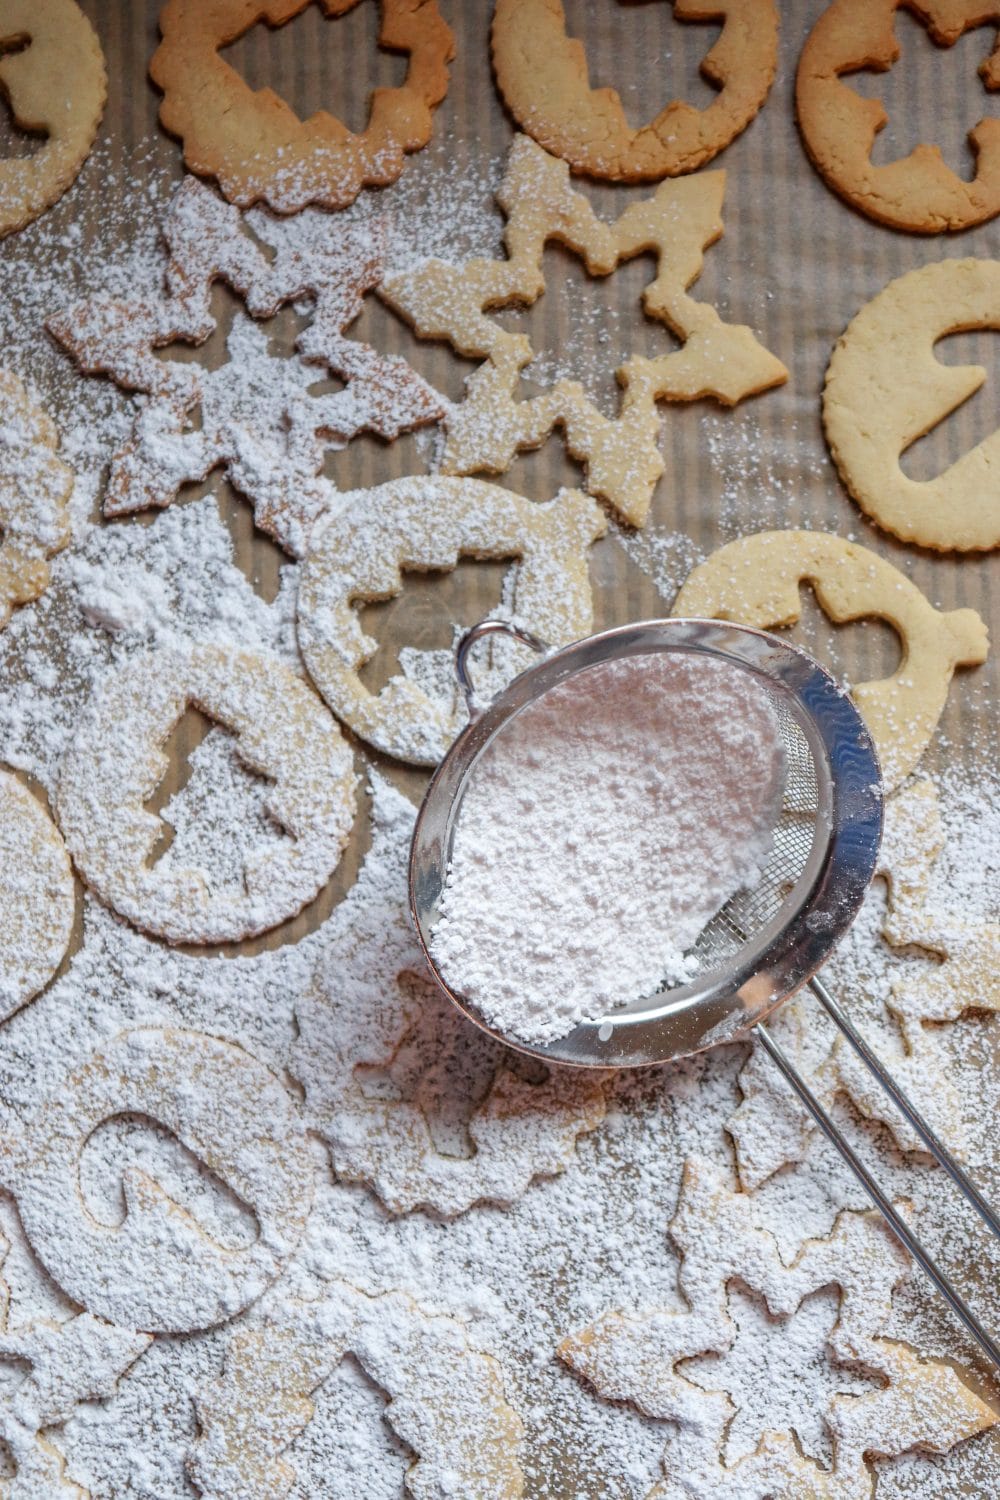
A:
<point x="767" y="943"/>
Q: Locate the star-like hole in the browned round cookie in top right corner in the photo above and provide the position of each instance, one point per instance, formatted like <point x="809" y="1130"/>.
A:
<point x="927" y="71"/>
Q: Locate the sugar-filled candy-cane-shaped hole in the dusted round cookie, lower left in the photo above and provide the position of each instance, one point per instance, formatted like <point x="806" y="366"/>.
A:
<point x="134" y="1141"/>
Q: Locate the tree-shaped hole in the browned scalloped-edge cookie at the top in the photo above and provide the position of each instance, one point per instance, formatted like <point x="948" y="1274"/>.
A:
<point x="346" y="61"/>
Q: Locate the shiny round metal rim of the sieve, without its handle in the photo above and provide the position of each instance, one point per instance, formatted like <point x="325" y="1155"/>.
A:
<point x="720" y="1006"/>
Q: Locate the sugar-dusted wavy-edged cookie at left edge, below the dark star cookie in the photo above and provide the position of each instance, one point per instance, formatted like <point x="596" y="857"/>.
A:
<point x="35" y="490"/>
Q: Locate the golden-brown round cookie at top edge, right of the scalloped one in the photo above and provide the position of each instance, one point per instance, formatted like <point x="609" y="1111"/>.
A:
<point x="543" y="77"/>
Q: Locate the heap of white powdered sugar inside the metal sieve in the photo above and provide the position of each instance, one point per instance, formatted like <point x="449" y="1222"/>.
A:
<point x="600" y="833"/>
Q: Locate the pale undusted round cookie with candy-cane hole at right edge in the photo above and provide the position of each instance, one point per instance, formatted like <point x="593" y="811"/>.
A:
<point x="885" y="389"/>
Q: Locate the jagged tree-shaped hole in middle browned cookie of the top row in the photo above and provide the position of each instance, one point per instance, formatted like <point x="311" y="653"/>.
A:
<point x="644" y="52"/>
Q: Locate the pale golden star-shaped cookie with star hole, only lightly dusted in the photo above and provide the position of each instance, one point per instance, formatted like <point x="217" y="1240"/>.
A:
<point x="493" y="425"/>
